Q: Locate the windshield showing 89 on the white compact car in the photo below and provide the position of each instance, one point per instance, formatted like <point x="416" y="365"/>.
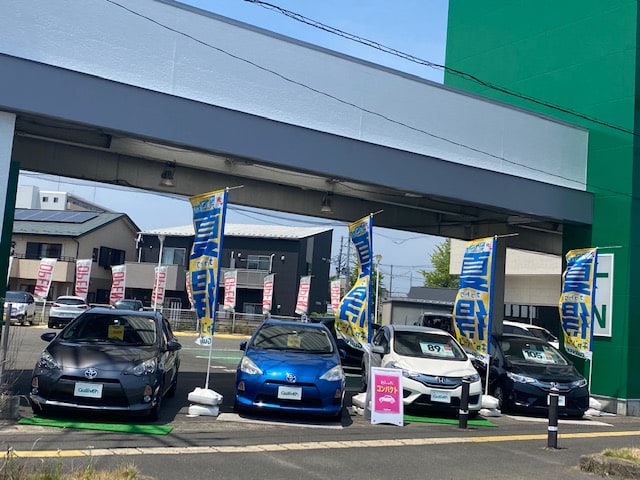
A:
<point x="427" y="344"/>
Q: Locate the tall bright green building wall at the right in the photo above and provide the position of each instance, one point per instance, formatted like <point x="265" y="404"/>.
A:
<point x="577" y="61"/>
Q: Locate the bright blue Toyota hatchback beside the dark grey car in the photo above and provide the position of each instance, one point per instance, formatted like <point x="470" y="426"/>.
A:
<point x="290" y="366"/>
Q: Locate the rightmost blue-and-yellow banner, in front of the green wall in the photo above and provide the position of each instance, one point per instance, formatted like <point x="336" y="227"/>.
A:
<point x="576" y="301"/>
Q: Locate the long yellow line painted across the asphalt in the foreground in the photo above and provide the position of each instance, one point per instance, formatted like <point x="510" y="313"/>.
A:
<point x="276" y="447"/>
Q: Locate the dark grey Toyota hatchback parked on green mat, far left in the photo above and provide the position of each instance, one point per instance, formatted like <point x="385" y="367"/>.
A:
<point x="107" y="360"/>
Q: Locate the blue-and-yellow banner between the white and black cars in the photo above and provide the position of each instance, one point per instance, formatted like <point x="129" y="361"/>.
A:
<point x="474" y="301"/>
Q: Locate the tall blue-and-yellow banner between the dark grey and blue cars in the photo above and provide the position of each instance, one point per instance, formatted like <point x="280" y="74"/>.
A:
<point x="209" y="212"/>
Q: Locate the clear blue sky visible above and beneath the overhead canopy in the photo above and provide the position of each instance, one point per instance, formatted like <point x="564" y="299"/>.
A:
<point x="416" y="27"/>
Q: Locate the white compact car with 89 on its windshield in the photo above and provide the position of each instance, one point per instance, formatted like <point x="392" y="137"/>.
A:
<point x="433" y="367"/>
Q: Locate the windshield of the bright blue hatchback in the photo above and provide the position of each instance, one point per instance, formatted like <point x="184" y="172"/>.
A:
<point x="298" y="338"/>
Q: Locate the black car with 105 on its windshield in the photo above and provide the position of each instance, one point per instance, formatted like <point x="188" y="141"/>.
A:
<point x="523" y="371"/>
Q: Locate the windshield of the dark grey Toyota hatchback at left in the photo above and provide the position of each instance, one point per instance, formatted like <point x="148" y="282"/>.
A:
<point x="121" y="329"/>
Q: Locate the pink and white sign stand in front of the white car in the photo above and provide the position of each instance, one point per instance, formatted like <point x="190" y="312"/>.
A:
<point x="386" y="397"/>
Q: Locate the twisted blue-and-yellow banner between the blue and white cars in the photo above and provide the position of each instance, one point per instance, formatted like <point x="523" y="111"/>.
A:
<point x="353" y="317"/>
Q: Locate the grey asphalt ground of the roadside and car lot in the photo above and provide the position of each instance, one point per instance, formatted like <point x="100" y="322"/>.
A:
<point x="231" y="446"/>
